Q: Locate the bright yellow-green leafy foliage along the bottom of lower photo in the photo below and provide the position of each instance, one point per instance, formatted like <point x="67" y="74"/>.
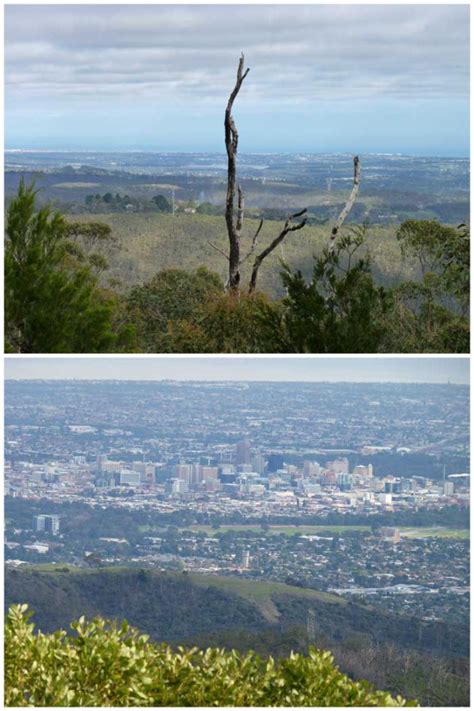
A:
<point x="109" y="665"/>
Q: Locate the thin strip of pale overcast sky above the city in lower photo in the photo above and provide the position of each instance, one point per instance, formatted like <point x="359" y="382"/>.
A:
<point x="370" y="369"/>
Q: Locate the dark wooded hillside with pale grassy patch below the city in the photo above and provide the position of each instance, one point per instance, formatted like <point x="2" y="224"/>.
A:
<point x="173" y="607"/>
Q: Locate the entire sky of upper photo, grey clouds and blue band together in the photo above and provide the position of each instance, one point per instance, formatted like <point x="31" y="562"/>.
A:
<point x="357" y="78"/>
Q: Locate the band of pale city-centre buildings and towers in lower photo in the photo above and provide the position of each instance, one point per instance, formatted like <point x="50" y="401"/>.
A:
<point x="254" y="484"/>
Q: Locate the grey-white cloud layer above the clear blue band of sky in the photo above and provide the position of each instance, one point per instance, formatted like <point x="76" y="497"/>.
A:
<point x="308" y="53"/>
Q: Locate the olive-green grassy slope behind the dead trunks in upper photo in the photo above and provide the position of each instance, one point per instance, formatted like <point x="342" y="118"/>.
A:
<point x="150" y="242"/>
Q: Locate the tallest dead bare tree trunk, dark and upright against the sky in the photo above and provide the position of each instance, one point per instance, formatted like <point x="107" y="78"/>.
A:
<point x="234" y="226"/>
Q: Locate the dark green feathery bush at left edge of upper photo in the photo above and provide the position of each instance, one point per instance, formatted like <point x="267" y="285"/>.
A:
<point x="52" y="302"/>
